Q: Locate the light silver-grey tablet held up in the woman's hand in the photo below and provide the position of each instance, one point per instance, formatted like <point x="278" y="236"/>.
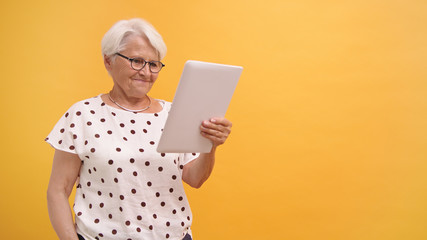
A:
<point x="204" y="91"/>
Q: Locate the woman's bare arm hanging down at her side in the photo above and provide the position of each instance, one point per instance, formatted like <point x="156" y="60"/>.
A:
<point x="65" y="170"/>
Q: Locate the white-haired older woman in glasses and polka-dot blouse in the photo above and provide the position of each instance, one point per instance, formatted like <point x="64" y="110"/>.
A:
<point x="106" y="145"/>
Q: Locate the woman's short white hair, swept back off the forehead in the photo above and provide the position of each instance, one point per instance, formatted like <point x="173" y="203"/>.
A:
<point x="114" y="40"/>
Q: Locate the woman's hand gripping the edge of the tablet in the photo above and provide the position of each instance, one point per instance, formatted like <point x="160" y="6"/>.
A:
<point x="217" y="130"/>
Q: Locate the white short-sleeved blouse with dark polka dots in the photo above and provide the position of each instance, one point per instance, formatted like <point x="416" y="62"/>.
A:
<point x="126" y="189"/>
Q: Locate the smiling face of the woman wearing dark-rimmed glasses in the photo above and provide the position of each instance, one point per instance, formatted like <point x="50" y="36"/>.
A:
<point x="134" y="84"/>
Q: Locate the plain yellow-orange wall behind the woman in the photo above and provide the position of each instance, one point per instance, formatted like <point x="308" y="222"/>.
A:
<point x="329" y="138"/>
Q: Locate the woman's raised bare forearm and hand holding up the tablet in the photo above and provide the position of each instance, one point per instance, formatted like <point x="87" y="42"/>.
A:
<point x="196" y="172"/>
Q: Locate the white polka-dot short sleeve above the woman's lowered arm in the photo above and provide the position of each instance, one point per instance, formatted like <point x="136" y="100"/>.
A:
<point x="65" y="133"/>
